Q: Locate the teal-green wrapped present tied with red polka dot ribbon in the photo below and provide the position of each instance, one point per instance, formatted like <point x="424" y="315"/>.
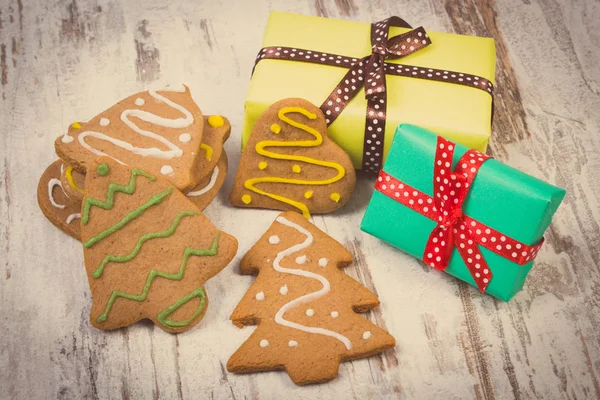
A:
<point x="460" y="211"/>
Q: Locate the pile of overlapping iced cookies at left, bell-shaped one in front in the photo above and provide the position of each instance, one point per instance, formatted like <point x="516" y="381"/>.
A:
<point x="142" y="171"/>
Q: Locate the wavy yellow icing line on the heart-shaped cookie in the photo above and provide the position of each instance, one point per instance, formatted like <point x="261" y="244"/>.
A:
<point x="250" y="184"/>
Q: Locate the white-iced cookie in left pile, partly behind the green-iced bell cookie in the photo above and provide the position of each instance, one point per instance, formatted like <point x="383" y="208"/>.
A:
<point x="159" y="131"/>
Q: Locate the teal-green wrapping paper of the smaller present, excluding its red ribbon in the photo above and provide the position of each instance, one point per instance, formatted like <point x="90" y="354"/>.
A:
<point x="511" y="202"/>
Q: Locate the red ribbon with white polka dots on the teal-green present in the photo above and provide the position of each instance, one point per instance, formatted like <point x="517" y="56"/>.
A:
<point x="454" y="229"/>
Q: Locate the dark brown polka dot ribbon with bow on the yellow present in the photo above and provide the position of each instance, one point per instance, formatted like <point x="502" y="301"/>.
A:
<point x="370" y="72"/>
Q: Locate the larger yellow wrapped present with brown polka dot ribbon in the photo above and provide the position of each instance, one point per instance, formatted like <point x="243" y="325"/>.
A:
<point x="369" y="78"/>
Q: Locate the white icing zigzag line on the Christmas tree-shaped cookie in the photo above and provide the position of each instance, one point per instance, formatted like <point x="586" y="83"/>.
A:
<point x="308" y="297"/>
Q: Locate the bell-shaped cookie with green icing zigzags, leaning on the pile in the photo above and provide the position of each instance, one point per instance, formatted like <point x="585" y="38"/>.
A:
<point x="147" y="249"/>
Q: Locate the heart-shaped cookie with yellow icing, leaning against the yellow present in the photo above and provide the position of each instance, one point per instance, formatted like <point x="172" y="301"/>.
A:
<point x="290" y="163"/>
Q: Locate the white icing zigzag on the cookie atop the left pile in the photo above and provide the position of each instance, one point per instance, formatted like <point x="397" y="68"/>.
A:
<point x="176" y="123"/>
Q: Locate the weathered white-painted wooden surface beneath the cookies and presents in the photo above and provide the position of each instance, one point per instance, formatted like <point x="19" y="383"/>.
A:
<point x="66" y="60"/>
